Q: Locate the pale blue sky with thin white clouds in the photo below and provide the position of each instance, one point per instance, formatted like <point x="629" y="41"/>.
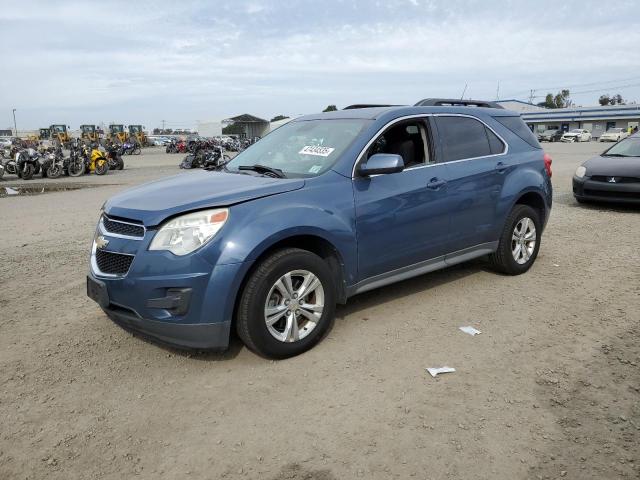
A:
<point x="185" y="61"/>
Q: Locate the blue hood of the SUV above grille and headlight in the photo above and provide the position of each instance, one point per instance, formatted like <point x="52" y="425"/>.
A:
<point x="153" y="202"/>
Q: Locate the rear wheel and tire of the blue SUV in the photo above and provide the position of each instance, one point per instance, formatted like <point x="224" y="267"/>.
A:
<point x="519" y="243"/>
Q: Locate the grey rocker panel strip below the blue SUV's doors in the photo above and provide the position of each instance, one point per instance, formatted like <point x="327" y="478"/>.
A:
<point x="421" y="268"/>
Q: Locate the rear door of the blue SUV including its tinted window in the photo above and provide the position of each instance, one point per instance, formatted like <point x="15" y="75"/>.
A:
<point x="476" y="162"/>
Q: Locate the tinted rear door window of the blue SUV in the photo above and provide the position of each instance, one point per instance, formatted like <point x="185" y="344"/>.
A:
<point x="462" y="137"/>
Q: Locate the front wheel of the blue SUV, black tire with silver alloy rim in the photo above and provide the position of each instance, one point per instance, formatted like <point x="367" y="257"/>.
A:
<point x="287" y="304"/>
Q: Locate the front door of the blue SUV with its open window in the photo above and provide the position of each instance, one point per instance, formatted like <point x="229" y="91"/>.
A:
<point x="402" y="219"/>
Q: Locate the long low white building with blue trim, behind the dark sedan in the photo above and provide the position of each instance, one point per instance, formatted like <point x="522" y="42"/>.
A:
<point x="596" y="119"/>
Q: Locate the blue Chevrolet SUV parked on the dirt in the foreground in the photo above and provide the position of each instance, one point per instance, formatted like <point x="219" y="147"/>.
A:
<point x="321" y="209"/>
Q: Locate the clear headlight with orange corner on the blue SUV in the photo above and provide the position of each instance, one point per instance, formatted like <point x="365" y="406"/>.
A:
<point x="186" y="233"/>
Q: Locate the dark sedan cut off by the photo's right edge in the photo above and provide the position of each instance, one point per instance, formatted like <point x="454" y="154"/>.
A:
<point x="614" y="176"/>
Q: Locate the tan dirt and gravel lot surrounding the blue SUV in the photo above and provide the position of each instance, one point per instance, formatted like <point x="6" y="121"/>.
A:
<point x="550" y="389"/>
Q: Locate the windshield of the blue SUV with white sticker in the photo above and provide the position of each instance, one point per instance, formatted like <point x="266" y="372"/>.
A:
<point x="301" y="149"/>
